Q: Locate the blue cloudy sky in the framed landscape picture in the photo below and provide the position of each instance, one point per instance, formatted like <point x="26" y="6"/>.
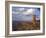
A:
<point x="25" y="13"/>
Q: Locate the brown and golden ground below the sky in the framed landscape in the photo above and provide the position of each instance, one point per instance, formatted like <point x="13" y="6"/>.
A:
<point x="26" y="26"/>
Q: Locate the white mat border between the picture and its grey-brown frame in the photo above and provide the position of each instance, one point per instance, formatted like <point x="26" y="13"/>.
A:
<point x="31" y="31"/>
